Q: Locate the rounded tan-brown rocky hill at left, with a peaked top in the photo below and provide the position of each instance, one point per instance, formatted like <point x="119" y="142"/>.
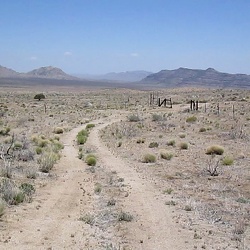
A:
<point x="50" y="72"/>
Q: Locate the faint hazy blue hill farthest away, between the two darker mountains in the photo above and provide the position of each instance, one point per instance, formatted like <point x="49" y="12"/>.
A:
<point x="128" y="76"/>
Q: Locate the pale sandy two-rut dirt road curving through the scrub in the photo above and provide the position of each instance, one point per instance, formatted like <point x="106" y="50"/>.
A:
<point x="51" y="221"/>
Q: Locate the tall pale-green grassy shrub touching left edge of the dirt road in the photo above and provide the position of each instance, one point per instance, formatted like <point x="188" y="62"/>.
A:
<point x="47" y="161"/>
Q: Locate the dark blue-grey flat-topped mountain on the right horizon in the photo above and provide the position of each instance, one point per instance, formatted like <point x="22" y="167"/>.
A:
<point x="197" y="77"/>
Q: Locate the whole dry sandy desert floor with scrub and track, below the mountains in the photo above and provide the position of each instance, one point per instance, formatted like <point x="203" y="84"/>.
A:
<point x="156" y="183"/>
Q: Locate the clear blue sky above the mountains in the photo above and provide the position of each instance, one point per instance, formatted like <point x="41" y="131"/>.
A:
<point x="101" y="36"/>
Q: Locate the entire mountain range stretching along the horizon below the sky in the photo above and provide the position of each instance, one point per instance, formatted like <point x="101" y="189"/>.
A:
<point x="164" y="78"/>
